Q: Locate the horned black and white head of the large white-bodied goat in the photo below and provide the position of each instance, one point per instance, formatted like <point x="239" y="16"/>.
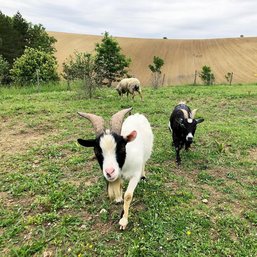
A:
<point x="109" y="145"/>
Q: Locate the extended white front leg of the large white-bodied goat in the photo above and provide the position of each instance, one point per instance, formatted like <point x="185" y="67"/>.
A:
<point x="127" y="200"/>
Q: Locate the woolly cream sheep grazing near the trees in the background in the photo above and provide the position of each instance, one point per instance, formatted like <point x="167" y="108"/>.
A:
<point x="129" y="86"/>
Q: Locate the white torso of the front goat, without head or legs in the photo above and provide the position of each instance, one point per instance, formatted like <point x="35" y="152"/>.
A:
<point x="139" y="150"/>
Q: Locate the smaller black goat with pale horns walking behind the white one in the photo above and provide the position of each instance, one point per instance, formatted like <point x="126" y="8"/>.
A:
<point x="183" y="125"/>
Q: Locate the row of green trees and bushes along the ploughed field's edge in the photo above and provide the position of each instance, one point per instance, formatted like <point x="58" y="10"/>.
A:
<point x="27" y="57"/>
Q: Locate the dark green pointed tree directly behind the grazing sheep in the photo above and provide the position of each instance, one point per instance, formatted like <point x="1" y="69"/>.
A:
<point x="110" y="63"/>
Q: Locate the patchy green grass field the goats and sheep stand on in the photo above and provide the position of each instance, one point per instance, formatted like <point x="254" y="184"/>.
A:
<point x="52" y="191"/>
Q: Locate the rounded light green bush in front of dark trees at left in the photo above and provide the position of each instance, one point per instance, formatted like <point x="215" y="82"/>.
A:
<point x="26" y="67"/>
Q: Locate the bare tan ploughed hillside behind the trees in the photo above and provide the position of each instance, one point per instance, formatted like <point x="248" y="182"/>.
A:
<point x="182" y="57"/>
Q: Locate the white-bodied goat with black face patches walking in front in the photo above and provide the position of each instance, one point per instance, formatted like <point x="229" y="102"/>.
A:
<point x="121" y="152"/>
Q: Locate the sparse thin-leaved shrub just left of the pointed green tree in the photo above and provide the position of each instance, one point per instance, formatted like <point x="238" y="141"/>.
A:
<point x="81" y="67"/>
